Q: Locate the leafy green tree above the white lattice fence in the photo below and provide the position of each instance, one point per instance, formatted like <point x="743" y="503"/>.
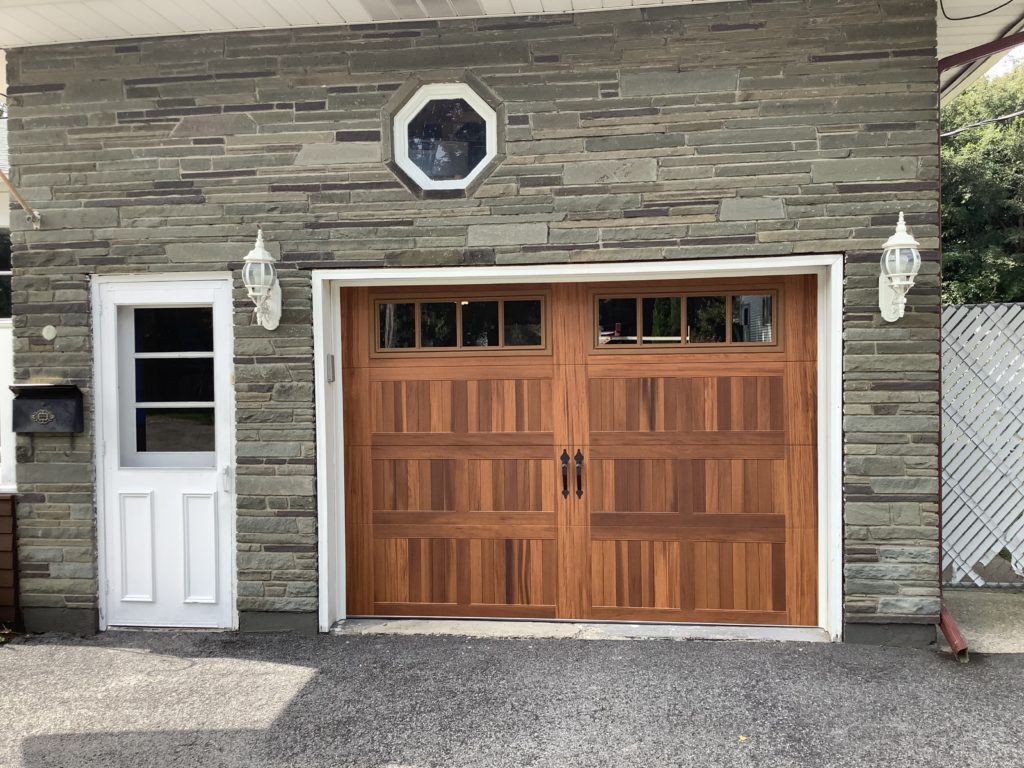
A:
<point x="984" y="194"/>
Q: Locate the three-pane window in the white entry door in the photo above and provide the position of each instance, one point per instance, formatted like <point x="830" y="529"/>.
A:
<point x="167" y="387"/>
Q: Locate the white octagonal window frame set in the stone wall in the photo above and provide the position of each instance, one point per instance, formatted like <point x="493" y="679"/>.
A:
<point x="437" y="93"/>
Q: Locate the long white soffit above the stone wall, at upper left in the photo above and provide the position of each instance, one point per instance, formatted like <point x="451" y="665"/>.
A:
<point x="25" y="23"/>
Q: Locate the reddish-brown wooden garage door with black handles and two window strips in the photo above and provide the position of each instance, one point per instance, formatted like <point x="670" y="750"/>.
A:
<point x="613" y="452"/>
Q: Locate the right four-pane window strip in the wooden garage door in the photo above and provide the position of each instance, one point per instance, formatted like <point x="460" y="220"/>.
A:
<point x="718" y="321"/>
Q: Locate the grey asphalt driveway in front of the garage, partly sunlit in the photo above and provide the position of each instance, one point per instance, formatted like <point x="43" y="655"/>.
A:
<point x="191" y="700"/>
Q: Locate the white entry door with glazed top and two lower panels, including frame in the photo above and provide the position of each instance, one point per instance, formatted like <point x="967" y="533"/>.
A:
<point x="165" y="415"/>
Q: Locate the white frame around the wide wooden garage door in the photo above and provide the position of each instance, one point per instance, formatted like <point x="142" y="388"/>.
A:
<point x="330" y="437"/>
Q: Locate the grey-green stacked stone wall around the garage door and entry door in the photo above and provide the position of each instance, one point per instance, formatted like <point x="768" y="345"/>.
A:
<point x="736" y="130"/>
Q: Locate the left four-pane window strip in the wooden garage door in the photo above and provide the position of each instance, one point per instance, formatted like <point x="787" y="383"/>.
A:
<point x="462" y="324"/>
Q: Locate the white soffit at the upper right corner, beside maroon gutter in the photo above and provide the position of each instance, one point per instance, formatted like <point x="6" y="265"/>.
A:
<point x="963" y="33"/>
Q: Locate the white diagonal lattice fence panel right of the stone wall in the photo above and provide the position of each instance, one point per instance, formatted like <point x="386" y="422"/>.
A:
<point x="984" y="439"/>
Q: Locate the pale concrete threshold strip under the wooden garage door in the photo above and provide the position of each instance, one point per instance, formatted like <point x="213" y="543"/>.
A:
<point x="526" y="629"/>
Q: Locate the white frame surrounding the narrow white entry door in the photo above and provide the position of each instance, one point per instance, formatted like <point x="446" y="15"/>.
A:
<point x="105" y="350"/>
